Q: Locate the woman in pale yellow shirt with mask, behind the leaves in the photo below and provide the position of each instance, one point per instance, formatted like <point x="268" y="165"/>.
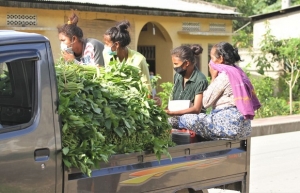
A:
<point x="116" y="40"/>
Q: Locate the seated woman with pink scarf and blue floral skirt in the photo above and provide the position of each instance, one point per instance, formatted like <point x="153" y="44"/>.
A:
<point x="231" y="96"/>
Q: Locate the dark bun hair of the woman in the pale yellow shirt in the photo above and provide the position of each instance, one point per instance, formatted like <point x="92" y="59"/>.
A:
<point x="120" y="34"/>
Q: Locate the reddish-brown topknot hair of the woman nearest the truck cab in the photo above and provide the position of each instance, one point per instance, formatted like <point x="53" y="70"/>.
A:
<point x="71" y="29"/>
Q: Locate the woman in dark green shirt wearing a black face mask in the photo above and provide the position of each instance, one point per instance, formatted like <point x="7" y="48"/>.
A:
<point x="189" y="82"/>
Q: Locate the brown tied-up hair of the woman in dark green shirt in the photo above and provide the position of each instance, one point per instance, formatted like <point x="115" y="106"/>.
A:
<point x="187" y="52"/>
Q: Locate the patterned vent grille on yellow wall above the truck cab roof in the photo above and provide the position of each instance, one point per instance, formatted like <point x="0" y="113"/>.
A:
<point x="21" y="20"/>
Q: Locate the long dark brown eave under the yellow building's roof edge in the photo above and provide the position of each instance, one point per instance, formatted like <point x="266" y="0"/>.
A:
<point x="116" y="9"/>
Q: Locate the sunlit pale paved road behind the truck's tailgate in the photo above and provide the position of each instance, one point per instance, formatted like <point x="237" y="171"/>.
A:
<point x="275" y="164"/>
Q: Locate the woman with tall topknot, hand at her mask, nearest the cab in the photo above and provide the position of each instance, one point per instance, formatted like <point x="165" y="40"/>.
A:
<point x="77" y="49"/>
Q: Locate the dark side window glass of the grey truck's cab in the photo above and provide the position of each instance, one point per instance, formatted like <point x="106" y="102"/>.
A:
<point x="17" y="94"/>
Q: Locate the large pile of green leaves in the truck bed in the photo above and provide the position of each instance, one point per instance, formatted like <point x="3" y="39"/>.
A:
<point x="106" y="111"/>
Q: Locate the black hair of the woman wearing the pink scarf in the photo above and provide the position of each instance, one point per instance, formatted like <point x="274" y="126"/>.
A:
<point x="228" y="52"/>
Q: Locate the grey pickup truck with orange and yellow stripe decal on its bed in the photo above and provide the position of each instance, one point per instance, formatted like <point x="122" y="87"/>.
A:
<point x="30" y="140"/>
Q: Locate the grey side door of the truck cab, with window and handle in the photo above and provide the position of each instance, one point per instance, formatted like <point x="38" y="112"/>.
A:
<point x="28" y="158"/>
